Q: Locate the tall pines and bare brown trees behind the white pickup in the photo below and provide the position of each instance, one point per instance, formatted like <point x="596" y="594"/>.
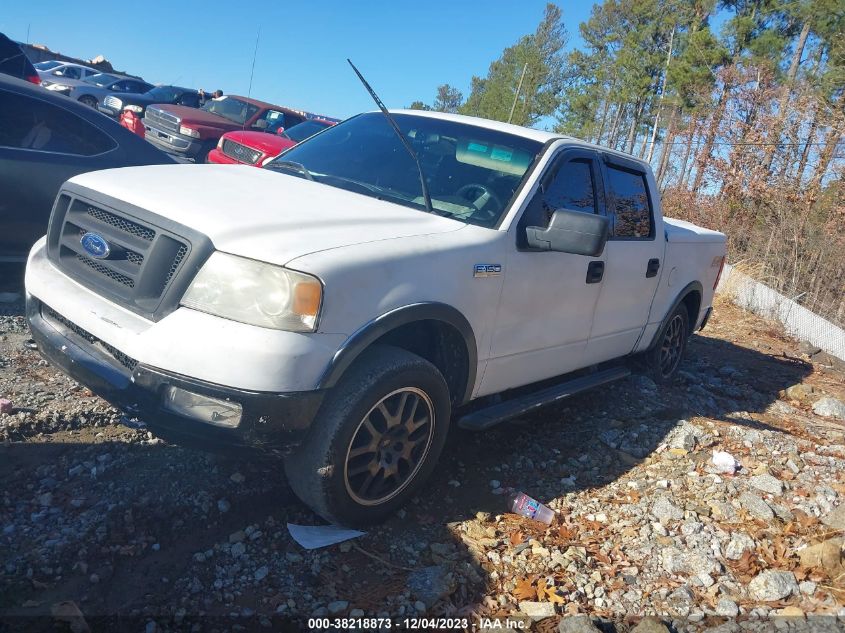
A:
<point x="737" y="104"/>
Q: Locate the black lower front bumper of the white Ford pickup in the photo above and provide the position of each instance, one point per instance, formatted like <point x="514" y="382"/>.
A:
<point x="269" y="420"/>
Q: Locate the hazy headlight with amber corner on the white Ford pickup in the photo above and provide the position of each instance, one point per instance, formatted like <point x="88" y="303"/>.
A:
<point x="253" y="292"/>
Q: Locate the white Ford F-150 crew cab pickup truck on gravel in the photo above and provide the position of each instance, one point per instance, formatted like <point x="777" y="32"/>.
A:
<point x="333" y="306"/>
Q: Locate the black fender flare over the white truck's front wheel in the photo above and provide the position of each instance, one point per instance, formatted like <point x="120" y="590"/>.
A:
<point x="366" y="335"/>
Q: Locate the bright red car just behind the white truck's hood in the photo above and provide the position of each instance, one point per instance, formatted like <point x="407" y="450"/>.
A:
<point x="256" y="148"/>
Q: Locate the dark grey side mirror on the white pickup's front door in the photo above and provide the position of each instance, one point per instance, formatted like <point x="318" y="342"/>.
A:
<point x="571" y="232"/>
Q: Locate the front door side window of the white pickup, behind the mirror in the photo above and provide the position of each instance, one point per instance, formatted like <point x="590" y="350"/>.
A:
<point x="572" y="187"/>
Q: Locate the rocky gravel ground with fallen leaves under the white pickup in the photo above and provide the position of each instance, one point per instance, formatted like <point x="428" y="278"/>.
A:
<point x="113" y="521"/>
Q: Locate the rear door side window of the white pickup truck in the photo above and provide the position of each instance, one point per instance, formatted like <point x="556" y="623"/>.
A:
<point x="628" y="204"/>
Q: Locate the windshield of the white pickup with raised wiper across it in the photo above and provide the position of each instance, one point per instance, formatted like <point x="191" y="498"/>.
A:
<point x="472" y="172"/>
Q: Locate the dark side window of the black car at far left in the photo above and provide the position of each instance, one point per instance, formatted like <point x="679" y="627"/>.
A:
<point x="32" y="124"/>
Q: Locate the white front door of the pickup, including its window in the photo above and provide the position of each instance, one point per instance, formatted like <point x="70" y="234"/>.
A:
<point x="547" y="303"/>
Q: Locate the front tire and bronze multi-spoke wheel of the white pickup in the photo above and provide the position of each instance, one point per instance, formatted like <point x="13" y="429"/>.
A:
<point x="332" y="470"/>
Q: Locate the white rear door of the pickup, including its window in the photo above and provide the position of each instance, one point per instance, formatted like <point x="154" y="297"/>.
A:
<point x="633" y="259"/>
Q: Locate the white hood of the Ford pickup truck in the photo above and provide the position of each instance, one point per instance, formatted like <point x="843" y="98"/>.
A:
<point x="261" y="214"/>
